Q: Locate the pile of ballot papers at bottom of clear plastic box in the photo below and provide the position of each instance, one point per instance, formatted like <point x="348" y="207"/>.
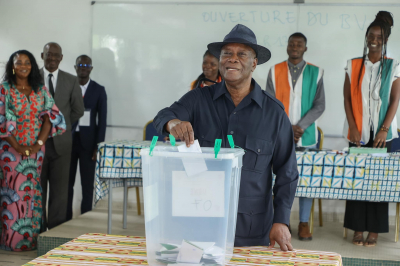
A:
<point x="191" y="254"/>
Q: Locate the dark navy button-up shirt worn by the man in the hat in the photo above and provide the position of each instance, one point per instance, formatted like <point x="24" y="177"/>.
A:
<point x="261" y="127"/>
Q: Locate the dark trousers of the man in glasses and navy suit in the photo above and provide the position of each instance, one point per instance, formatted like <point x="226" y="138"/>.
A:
<point x="87" y="170"/>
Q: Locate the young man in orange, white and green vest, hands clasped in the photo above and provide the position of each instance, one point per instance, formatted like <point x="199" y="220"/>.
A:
<point x="299" y="86"/>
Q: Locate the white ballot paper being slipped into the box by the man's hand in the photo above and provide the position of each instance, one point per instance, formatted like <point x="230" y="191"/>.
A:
<point x="193" y="166"/>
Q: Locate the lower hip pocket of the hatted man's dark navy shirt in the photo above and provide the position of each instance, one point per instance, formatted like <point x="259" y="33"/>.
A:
<point x="252" y="217"/>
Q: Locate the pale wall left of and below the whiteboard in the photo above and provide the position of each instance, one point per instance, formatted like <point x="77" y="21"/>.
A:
<point x="31" y="24"/>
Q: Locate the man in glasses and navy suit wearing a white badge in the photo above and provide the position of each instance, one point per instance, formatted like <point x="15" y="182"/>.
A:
<point x="86" y="134"/>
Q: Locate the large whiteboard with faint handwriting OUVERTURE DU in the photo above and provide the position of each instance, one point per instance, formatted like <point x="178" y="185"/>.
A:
<point x="147" y="54"/>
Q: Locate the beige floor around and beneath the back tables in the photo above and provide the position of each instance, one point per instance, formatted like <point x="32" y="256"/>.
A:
<point x="326" y="238"/>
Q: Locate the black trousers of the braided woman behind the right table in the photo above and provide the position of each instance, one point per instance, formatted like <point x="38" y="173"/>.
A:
<point x="364" y="215"/>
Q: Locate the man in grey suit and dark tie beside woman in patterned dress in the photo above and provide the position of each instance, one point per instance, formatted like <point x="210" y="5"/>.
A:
<point x="67" y="94"/>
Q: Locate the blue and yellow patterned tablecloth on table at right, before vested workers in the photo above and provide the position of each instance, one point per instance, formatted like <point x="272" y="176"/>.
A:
<point x="356" y="177"/>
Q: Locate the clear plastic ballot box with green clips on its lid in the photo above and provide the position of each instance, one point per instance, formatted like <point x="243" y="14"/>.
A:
<point x="199" y="209"/>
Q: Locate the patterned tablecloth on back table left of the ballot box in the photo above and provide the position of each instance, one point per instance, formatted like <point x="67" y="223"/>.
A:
<point x="119" y="160"/>
